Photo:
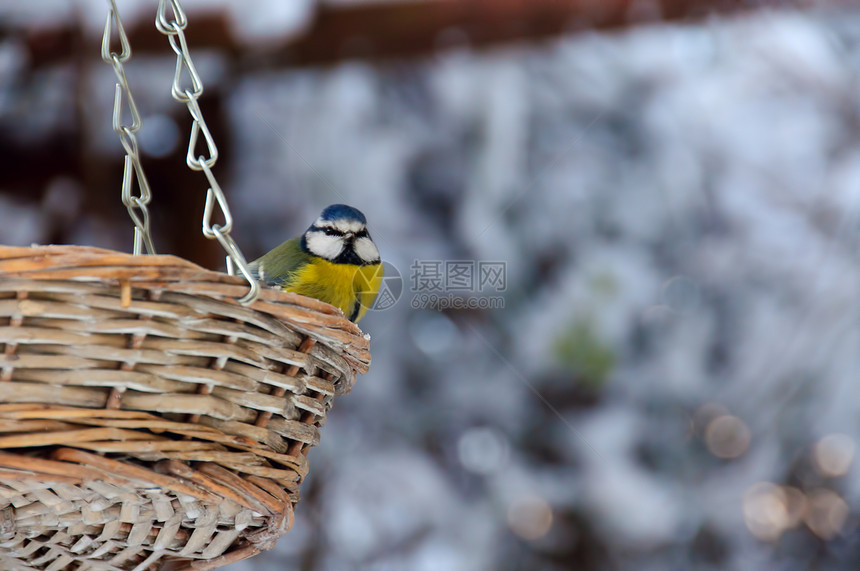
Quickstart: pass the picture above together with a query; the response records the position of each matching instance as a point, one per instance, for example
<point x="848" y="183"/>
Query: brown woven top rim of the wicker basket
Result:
<point x="314" y="318"/>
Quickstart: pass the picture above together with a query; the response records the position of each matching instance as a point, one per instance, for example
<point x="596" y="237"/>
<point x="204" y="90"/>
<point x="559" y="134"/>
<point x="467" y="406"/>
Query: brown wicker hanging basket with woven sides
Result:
<point x="147" y="420"/>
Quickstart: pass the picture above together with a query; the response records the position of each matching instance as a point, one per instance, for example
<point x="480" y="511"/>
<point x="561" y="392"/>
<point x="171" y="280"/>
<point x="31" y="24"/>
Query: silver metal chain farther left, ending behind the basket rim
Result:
<point x="133" y="169"/>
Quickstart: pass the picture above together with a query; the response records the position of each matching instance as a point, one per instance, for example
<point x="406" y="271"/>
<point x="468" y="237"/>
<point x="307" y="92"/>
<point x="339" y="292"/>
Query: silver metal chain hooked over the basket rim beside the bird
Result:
<point x="174" y="29"/>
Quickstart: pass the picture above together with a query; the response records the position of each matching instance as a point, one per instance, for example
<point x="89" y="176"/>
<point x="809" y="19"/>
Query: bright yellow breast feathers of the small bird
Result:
<point x="350" y="287"/>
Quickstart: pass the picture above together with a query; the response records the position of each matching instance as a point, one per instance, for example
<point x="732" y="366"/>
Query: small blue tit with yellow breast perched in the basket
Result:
<point x="334" y="261"/>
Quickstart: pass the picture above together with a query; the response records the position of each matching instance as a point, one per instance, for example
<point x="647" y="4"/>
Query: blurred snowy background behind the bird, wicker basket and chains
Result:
<point x="673" y="380"/>
